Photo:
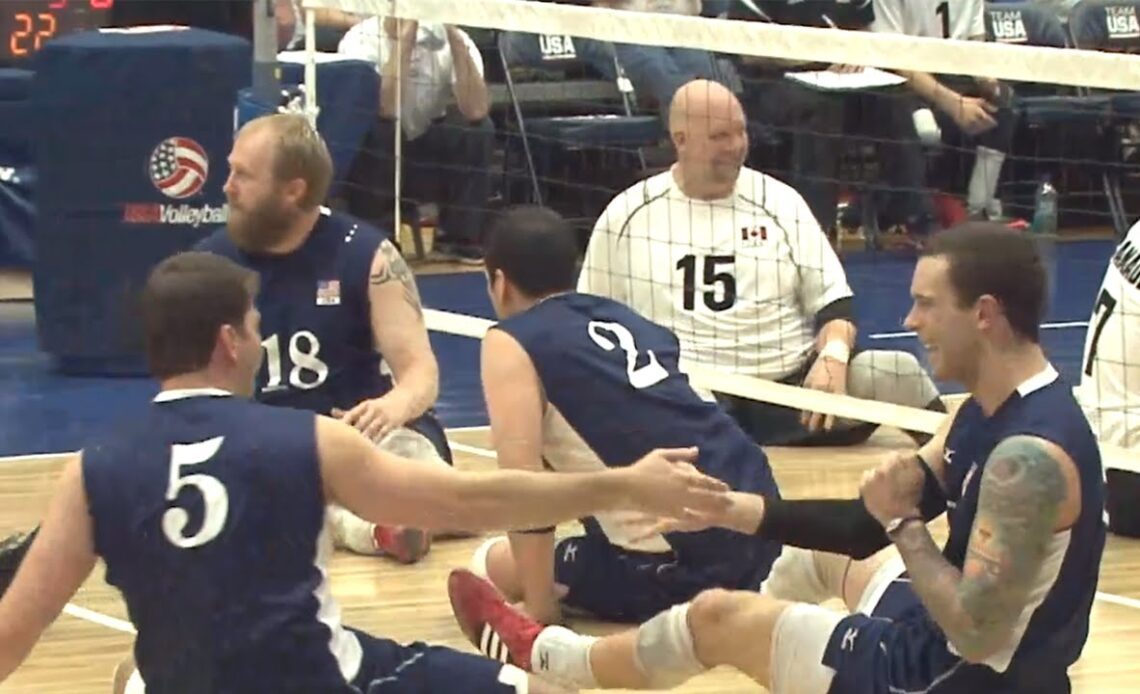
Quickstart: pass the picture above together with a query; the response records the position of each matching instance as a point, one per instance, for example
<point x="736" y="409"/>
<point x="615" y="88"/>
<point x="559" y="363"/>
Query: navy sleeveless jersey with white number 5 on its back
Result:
<point x="209" y="513"/>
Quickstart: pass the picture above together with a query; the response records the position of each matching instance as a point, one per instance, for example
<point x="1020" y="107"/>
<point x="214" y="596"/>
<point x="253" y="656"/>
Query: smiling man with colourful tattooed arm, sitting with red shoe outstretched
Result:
<point x="1004" y="607"/>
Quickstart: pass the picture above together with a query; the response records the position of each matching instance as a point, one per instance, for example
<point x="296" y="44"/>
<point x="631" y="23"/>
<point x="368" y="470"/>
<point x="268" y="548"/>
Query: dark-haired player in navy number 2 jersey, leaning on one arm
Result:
<point x="576" y="382"/>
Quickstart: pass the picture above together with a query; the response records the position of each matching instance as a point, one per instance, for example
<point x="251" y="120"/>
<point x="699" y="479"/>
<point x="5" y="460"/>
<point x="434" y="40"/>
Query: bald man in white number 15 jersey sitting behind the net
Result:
<point x="735" y="263"/>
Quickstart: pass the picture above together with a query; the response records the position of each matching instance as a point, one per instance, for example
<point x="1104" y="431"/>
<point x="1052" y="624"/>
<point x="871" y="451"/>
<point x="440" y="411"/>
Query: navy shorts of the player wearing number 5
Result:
<point x="392" y="668"/>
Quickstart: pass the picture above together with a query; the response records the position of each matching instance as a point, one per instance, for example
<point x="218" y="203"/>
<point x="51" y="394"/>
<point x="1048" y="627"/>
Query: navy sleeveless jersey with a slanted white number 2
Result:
<point x="614" y="394"/>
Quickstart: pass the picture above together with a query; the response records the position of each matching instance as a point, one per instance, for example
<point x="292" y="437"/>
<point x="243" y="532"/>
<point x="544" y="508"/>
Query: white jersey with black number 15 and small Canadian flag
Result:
<point x="739" y="280"/>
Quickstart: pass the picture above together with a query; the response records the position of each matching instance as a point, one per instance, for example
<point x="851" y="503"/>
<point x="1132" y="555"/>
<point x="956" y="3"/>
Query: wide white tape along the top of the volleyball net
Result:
<point x="890" y="52"/>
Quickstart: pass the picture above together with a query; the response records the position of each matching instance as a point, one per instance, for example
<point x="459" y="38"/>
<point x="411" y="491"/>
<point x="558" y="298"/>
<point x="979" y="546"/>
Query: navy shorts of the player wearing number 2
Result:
<point x="618" y="585"/>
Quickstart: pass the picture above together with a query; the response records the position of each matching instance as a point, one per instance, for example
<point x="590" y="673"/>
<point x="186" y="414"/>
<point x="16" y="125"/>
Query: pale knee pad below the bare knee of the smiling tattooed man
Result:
<point x="665" y="650"/>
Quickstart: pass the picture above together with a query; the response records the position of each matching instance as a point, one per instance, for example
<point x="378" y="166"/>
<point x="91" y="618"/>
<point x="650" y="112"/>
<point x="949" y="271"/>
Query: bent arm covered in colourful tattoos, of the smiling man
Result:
<point x="1023" y="489"/>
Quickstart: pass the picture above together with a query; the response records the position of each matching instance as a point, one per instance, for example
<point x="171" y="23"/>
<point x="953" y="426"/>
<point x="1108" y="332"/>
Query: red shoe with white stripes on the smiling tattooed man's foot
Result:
<point x="490" y="623"/>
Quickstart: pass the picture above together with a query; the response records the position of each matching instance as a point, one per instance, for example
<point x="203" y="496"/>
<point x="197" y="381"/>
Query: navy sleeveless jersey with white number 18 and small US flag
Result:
<point x="320" y="350"/>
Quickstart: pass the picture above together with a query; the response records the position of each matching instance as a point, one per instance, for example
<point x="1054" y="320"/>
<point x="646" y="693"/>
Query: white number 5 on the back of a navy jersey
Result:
<point x="215" y="497"/>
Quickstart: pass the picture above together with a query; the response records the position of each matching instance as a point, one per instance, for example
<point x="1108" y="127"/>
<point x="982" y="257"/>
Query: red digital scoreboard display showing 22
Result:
<point x="27" y="26"/>
